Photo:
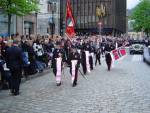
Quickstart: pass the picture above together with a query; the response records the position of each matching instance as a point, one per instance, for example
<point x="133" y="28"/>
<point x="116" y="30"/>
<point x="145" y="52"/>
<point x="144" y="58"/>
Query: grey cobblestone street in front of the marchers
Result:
<point x="125" y="89"/>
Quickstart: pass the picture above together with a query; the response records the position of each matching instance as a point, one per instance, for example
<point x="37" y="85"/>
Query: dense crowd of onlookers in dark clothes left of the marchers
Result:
<point x="36" y="55"/>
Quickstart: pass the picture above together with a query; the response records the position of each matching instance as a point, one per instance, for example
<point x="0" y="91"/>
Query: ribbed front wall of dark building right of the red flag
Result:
<point x="84" y="12"/>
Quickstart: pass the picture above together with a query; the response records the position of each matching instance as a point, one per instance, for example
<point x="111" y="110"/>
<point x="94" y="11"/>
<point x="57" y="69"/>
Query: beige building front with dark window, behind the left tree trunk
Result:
<point x="17" y="24"/>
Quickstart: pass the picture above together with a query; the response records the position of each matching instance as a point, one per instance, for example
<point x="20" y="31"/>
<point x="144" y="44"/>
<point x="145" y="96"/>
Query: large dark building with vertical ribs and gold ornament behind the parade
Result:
<point x="84" y="12"/>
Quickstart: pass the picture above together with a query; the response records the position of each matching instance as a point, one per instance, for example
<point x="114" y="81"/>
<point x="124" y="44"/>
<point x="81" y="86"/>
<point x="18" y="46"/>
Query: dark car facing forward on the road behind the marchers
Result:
<point x="136" y="47"/>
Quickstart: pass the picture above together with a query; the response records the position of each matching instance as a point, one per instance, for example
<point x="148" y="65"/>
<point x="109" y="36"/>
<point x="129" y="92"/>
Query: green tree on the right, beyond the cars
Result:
<point x="141" y="15"/>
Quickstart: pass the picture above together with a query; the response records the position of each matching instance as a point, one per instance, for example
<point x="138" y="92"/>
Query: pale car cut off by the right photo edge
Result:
<point x="146" y="55"/>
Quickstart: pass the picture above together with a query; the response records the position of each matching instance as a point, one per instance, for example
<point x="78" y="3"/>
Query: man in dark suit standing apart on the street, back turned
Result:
<point x="14" y="63"/>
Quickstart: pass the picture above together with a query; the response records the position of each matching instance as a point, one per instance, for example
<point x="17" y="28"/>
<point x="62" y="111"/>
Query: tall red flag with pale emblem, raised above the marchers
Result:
<point x="70" y="23"/>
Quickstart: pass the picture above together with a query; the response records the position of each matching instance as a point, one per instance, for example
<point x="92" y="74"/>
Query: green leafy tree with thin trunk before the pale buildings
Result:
<point x="17" y="7"/>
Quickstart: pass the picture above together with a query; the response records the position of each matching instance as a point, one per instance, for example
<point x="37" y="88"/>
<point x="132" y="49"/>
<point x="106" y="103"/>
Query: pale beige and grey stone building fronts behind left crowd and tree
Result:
<point x="36" y="24"/>
